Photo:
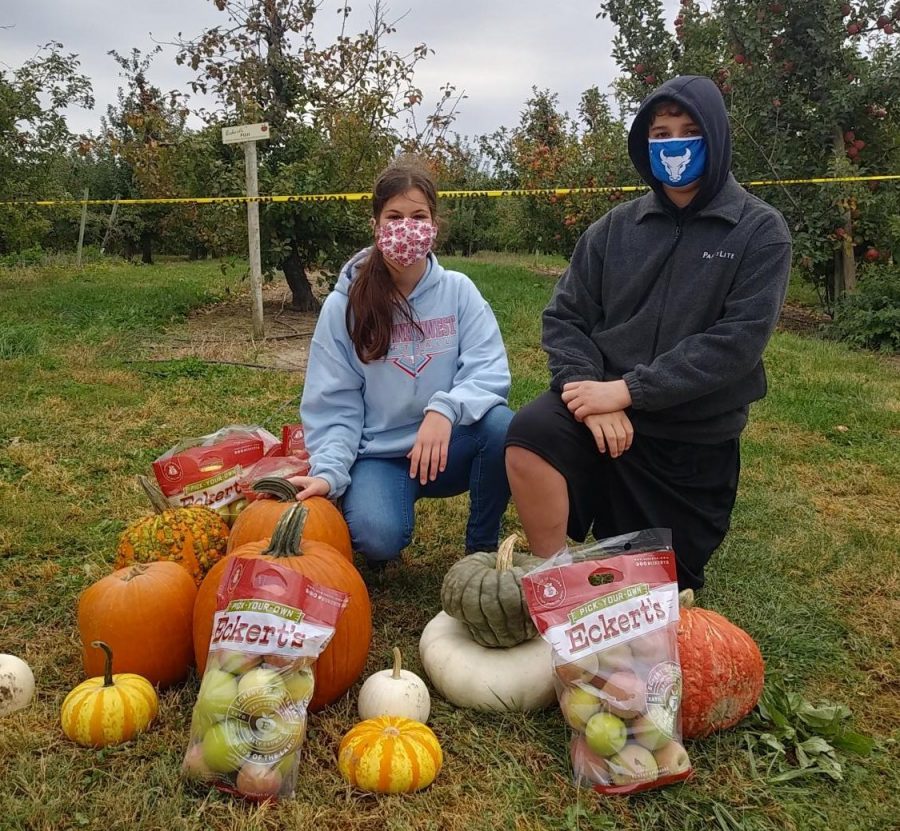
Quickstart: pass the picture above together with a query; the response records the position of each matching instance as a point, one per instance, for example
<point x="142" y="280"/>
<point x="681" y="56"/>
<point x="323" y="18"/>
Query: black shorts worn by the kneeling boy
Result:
<point x="657" y="483"/>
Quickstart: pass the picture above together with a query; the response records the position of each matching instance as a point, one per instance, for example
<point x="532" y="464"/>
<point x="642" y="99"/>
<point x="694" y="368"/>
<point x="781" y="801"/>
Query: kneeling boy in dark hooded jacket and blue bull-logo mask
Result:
<point x="654" y="336"/>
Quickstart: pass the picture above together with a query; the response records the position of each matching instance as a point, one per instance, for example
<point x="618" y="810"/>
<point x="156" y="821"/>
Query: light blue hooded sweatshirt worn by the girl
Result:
<point x="351" y="409"/>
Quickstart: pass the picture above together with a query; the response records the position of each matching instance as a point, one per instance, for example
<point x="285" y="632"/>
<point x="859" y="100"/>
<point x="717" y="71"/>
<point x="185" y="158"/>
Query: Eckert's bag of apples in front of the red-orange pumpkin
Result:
<point x="610" y="612"/>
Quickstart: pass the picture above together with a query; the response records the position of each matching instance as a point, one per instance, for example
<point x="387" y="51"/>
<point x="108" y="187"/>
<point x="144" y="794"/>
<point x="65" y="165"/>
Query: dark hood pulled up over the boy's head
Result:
<point x="699" y="96"/>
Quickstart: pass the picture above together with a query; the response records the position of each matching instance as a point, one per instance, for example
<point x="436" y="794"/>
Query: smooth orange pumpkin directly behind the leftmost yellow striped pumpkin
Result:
<point x="144" y="613"/>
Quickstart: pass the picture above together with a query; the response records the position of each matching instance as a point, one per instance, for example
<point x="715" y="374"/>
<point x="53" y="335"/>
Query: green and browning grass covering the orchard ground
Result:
<point x="809" y="568"/>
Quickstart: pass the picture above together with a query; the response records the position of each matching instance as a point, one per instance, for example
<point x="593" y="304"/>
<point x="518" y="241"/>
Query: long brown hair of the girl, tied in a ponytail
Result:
<point x="374" y="298"/>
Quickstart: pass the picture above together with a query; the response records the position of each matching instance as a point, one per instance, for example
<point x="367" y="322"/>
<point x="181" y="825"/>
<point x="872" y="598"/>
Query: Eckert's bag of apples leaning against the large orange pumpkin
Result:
<point x="249" y="720"/>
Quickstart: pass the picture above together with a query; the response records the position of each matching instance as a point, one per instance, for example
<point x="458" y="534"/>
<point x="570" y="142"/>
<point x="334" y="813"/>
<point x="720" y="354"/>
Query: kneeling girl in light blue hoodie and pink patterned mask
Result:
<point x="407" y="381"/>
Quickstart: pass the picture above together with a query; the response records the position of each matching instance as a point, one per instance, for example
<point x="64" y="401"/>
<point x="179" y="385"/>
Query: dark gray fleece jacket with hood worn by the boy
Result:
<point x="679" y="303"/>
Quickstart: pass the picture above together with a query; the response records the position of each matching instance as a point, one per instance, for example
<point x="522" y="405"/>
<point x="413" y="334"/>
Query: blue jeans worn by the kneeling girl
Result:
<point x="379" y="503"/>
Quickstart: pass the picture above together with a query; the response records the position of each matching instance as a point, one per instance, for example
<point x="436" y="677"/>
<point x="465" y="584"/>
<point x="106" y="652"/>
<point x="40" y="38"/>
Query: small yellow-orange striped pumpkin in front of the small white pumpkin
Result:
<point x="390" y="754"/>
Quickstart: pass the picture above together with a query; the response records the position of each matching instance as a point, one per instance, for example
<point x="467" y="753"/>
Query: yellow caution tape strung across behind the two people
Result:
<point x="447" y="194"/>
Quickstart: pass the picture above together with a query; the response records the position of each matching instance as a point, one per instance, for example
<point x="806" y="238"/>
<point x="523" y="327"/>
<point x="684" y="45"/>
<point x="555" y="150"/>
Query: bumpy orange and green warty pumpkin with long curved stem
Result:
<point x="194" y="537"/>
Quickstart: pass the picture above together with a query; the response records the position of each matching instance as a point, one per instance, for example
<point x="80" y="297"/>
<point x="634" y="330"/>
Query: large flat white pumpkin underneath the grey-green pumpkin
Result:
<point x="517" y="679"/>
